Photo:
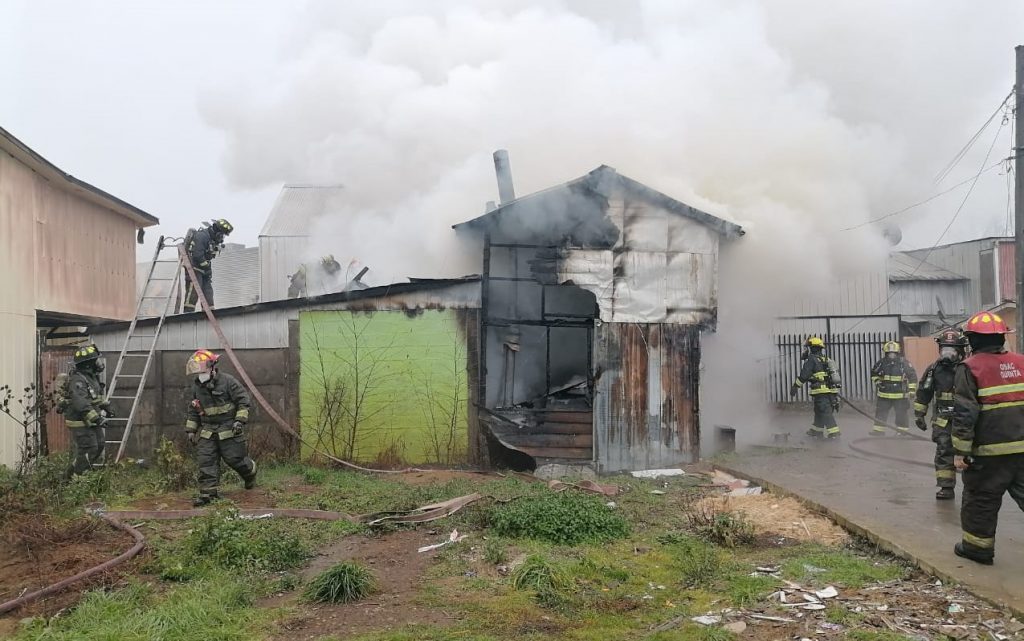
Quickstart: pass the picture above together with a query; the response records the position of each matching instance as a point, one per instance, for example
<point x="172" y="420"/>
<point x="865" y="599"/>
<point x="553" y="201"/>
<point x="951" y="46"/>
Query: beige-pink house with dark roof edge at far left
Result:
<point x="67" y="261"/>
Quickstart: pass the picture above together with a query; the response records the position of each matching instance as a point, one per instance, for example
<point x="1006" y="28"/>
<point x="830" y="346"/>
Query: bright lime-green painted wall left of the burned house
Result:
<point x="385" y="387"/>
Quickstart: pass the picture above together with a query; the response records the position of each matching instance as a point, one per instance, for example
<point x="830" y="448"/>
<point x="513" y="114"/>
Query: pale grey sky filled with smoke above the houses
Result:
<point x="794" y="112"/>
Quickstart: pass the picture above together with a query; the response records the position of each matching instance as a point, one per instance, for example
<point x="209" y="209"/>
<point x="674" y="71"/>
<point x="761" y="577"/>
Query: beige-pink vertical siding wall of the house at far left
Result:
<point x="59" y="253"/>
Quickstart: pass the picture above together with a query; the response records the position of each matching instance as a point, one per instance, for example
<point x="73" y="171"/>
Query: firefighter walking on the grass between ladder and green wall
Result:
<point x="217" y="425"/>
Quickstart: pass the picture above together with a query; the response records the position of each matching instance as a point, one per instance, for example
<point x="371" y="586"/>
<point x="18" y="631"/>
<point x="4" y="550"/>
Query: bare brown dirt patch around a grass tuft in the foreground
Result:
<point x="399" y="569"/>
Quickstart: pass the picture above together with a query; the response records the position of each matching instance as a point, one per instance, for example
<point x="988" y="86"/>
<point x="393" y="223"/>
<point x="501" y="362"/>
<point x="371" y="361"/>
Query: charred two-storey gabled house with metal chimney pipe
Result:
<point x="594" y="294"/>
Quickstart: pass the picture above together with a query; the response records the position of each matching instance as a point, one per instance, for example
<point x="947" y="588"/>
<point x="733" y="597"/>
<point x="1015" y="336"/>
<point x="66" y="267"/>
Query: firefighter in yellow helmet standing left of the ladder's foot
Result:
<point x="87" y="411"/>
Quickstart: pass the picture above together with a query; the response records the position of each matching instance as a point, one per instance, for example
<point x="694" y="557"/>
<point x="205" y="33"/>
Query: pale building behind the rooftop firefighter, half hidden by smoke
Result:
<point x="285" y="242"/>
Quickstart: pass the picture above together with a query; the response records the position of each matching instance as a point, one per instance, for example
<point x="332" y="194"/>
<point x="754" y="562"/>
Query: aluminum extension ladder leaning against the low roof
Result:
<point x="129" y="381"/>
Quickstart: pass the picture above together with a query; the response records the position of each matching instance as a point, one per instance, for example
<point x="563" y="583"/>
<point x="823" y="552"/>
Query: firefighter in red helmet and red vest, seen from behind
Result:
<point x="988" y="434"/>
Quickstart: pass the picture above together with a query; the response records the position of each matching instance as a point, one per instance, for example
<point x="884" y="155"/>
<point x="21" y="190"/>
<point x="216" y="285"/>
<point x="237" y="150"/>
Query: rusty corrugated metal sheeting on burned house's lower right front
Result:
<point x="647" y="412"/>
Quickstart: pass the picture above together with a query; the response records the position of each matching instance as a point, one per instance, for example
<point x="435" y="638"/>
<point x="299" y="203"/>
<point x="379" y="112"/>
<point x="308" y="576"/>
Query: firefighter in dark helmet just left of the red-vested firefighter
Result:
<point x="937" y="386"/>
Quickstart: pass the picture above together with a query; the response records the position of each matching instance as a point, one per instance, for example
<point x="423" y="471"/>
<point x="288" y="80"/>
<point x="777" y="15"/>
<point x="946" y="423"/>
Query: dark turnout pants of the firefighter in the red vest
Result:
<point x="985" y="484"/>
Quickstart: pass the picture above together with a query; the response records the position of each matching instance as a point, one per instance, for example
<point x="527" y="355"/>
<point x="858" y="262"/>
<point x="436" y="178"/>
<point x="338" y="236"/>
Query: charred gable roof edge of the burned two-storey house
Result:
<point x="602" y="182"/>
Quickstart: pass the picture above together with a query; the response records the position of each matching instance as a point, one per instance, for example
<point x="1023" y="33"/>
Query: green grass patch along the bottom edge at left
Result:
<point x="219" y="608"/>
